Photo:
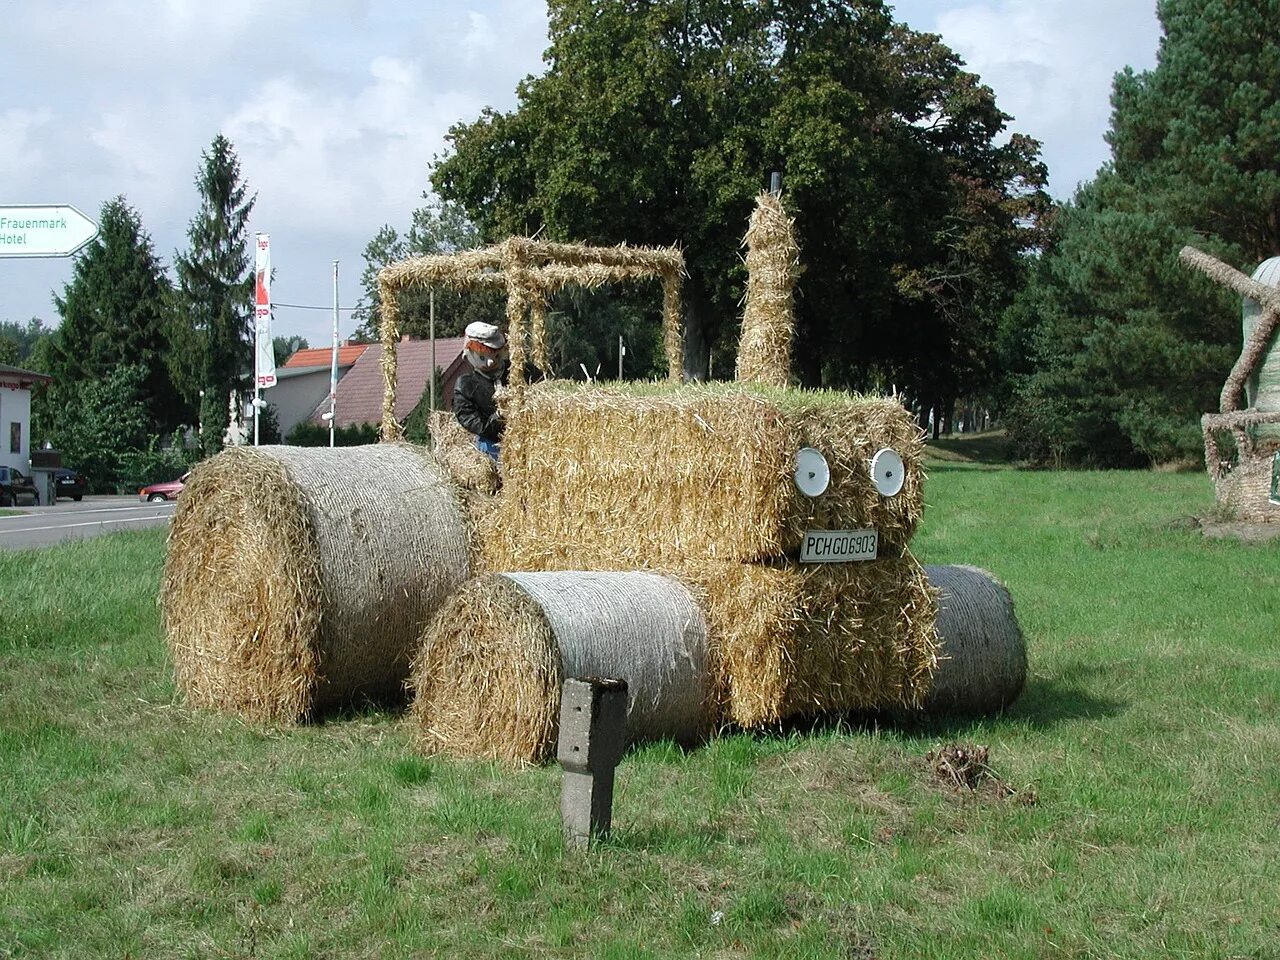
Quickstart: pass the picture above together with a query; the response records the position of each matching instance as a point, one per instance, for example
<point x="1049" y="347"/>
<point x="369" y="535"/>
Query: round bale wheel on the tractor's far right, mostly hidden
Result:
<point x="982" y="659"/>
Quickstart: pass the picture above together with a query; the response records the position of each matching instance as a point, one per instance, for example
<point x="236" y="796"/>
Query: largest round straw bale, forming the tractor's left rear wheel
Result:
<point x="300" y="578"/>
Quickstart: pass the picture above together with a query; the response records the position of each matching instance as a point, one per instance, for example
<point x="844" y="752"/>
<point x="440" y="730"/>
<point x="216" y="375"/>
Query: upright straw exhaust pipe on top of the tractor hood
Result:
<point x="769" y="319"/>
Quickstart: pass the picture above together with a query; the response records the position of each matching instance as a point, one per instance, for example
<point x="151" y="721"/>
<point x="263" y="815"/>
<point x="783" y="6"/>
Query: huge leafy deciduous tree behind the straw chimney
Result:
<point x="659" y="122"/>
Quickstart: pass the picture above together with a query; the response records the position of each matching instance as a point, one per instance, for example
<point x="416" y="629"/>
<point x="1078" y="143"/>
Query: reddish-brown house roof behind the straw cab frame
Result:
<point x="360" y="392"/>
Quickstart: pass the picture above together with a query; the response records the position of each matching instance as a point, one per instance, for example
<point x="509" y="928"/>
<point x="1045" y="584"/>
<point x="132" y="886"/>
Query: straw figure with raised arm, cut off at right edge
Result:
<point x="1246" y="484"/>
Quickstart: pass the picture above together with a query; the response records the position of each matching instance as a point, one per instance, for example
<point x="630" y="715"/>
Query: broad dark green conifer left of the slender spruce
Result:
<point x="115" y="313"/>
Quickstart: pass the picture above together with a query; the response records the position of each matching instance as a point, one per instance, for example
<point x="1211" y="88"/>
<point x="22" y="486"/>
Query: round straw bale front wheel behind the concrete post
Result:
<point x="488" y="676"/>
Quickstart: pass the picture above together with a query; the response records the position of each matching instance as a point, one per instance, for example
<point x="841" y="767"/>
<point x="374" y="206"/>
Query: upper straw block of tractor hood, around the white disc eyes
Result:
<point x="620" y="478"/>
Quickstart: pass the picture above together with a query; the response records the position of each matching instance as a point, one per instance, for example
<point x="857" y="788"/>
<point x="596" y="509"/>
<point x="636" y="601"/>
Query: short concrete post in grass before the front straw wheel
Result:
<point x="593" y="733"/>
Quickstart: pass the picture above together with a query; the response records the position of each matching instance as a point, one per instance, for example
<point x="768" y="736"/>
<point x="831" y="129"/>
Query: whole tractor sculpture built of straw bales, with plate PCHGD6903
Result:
<point x="656" y="533"/>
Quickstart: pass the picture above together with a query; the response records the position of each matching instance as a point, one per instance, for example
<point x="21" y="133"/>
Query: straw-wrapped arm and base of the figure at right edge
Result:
<point x="1244" y="486"/>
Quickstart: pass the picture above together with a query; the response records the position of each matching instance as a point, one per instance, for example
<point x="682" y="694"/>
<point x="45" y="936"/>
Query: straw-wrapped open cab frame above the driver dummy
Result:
<point x="531" y="272"/>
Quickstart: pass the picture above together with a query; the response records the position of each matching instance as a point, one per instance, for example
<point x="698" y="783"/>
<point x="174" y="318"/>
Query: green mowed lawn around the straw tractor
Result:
<point x="1144" y="755"/>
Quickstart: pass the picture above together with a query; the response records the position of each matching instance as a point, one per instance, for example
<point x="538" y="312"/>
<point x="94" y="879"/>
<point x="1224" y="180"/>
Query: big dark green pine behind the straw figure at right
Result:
<point x="1121" y="349"/>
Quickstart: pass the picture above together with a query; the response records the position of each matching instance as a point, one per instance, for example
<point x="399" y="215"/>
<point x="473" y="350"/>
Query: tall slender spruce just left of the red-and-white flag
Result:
<point x="213" y="333"/>
